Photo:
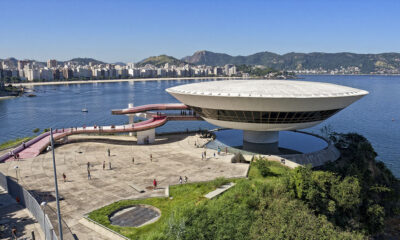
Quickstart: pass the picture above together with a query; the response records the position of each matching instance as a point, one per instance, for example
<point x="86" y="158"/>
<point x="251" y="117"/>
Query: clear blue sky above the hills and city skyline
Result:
<point x="132" y="30"/>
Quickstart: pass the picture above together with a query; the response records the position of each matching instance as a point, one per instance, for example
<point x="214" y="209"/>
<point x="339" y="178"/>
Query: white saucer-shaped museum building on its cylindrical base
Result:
<point x="262" y="108"/>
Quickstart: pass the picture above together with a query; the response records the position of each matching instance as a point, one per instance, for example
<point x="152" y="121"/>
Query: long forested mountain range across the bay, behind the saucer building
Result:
<point x="367" y="63"/>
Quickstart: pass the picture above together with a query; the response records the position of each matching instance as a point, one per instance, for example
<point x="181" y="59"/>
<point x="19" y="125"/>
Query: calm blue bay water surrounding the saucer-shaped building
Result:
<point x="376" y="116"/>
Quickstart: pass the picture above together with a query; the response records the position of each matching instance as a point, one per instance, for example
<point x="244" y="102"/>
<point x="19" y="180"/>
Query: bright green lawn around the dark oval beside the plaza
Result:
<point x="185" y="195"/>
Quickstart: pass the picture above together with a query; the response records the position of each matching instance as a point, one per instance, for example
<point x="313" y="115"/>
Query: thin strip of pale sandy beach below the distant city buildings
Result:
<point x="116" y="80"/>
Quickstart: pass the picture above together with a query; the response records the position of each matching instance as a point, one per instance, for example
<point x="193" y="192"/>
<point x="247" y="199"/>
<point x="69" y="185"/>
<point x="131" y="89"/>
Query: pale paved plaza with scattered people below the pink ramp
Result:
<point x="172" y="156"/>
